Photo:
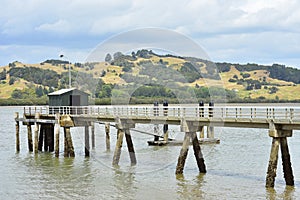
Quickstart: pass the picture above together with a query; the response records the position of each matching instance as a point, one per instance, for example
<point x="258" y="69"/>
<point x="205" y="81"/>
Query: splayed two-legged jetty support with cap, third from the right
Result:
<point x="123" y="127"/>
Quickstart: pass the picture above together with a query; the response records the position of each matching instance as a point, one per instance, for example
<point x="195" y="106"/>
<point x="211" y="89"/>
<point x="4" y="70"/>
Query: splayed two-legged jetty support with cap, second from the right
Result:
<point x="190" y="128"/>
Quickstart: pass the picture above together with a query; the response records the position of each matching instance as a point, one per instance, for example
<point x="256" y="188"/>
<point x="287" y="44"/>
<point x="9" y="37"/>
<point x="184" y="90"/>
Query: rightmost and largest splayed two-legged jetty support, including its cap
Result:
<point x="279" y="138"/>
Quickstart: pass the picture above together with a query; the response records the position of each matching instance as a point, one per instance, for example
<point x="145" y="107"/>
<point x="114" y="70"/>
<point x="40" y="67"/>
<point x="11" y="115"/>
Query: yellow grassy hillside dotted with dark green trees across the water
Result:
<point x="147" y="77"/>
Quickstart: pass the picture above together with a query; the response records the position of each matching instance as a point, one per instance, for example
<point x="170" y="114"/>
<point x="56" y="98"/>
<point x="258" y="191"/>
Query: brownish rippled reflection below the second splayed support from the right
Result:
<point x="190" y="189"/>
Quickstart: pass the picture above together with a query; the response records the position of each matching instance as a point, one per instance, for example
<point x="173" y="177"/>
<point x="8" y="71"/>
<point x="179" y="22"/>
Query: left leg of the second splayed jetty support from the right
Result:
<point x="183" y="153"/>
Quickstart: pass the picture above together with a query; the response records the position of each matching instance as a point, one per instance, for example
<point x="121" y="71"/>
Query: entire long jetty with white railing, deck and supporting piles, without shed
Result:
<point x="278" y="120"/>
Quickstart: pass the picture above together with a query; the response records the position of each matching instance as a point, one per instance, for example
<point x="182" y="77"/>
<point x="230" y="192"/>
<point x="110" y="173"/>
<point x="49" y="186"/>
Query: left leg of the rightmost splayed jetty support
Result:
<point x="271" y="173"/>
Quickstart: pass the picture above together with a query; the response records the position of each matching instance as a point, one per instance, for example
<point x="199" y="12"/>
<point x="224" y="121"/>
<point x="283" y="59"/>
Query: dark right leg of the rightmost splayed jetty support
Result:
<point x="286" y="162"/>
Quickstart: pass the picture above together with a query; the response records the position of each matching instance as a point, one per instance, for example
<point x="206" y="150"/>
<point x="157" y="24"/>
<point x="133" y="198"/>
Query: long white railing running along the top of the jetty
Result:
<point x="171" y="111"/>
